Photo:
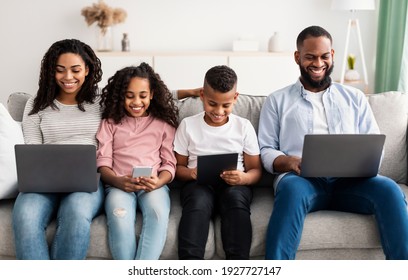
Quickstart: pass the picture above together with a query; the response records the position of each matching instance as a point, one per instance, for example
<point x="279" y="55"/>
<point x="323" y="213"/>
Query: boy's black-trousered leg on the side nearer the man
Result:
<point x="236" y="229"/>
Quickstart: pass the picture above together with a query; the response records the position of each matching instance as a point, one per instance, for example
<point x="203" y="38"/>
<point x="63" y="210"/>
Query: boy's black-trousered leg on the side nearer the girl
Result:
<point x="198" y="206"/>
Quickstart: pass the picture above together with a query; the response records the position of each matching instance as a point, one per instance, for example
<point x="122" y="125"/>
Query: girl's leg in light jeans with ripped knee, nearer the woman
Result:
<point x="120" y="208"/>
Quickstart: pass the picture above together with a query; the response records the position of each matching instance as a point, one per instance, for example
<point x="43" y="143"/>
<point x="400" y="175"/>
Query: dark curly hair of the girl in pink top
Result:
<point x="162" y="105"/>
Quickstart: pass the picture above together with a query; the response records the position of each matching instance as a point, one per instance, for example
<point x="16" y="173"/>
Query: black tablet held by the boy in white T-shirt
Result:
<point x="209" y="167"/>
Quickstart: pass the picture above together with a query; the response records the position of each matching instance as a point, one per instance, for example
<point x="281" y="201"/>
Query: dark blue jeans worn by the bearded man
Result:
<point x="297" y="196"/>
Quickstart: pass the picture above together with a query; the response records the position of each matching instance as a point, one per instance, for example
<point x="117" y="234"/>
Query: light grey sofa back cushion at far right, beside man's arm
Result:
<point x="390" y="110"/>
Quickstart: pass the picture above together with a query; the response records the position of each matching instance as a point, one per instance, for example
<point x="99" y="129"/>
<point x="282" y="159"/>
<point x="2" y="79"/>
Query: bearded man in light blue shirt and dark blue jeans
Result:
<point x="316" y="105"/>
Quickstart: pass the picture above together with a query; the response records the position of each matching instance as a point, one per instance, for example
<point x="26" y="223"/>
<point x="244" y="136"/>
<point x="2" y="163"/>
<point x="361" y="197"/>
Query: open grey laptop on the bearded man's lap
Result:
<point x="342" y="155"/>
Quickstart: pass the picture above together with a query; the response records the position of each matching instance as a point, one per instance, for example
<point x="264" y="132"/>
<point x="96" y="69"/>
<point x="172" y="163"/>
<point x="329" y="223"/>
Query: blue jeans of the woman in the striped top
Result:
<point x="74" y="212"/>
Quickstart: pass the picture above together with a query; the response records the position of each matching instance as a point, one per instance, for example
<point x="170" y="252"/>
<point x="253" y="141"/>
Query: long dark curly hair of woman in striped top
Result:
<point x="48" y="88"/>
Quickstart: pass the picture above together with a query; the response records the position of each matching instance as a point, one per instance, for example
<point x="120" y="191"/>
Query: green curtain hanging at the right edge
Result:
<point x="390" y="44"/>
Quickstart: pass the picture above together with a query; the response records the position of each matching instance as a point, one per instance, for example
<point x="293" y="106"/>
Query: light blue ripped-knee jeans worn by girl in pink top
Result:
<point x="120" y="208"/>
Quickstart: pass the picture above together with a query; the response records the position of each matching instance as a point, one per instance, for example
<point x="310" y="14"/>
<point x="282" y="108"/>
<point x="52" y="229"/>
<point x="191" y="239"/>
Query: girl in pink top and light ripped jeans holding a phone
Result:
<point x="139" y="120"/>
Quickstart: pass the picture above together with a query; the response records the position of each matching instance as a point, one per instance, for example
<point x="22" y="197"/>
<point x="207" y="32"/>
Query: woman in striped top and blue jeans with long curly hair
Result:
<point x="66" y="98"/>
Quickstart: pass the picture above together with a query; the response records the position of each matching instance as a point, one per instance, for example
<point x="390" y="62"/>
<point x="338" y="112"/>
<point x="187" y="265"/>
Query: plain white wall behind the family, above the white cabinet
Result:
<point x="28" y="28"/>
